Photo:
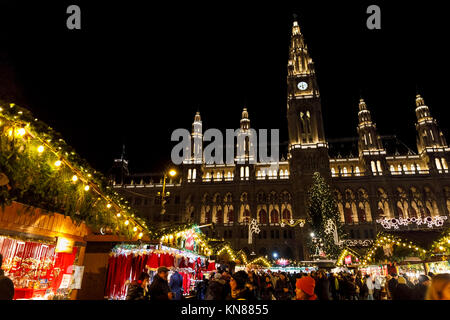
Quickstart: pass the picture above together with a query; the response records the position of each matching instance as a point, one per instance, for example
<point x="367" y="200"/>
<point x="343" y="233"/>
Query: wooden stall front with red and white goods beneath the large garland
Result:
<point x="42" y="253"/>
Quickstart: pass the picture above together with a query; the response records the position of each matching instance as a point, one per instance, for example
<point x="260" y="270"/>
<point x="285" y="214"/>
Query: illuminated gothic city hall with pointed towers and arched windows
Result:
<point x="377" y="182"/>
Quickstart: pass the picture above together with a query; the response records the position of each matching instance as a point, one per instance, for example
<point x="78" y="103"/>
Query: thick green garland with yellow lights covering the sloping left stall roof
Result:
<point x="39" y="169"/>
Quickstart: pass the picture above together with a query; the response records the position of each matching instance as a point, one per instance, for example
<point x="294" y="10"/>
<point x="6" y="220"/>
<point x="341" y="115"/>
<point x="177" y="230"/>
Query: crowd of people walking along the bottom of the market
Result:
<point x="316" y="285"/>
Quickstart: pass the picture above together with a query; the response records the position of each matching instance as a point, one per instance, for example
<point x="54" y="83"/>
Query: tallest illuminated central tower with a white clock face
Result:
<point x="308" y="149"/>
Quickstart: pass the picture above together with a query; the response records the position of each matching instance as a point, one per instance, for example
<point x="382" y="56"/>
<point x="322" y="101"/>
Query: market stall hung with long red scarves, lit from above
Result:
<point x="183" y="252"/>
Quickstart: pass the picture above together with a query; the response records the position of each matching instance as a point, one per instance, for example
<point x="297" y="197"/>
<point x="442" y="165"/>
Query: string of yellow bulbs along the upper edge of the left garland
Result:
<point x="17" y="128"/>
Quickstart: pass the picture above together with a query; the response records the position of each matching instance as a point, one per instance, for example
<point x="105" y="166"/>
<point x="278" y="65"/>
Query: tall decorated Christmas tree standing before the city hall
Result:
<point x="323" y="218"/>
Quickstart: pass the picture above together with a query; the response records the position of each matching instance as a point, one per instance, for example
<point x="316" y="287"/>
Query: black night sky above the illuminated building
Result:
<point x="136" y="72"/>
